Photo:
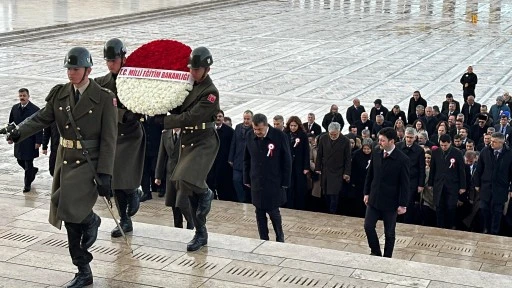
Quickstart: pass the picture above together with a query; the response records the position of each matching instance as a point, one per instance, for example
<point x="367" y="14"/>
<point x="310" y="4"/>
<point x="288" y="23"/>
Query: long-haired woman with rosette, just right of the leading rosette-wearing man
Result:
<point x="296" y="193"/>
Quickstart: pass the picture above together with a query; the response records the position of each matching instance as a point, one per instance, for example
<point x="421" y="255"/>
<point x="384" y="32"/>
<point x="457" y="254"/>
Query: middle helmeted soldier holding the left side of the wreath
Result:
<point x="130" y="146"/>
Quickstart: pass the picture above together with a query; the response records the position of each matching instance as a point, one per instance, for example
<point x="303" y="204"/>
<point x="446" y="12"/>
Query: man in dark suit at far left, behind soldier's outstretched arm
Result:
<point x="27" y="150"/>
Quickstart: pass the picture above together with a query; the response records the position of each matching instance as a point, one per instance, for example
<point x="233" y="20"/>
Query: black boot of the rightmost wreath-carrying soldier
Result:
<point x="201" y="205"/>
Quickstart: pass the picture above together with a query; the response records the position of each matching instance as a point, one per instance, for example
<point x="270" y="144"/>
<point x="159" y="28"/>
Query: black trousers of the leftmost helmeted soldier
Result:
<point x="79" y="256"/>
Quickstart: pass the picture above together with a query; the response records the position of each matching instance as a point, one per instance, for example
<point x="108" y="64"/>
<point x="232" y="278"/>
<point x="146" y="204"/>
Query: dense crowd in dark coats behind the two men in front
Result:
<point x="444" y="143"/>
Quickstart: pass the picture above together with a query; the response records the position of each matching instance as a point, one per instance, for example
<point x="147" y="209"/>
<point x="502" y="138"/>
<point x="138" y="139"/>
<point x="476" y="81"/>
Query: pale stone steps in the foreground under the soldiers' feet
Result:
<point x="321" y="251"/>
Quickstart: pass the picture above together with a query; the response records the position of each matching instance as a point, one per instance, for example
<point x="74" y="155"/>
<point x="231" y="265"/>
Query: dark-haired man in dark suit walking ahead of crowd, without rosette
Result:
<point x="385" y="191"/>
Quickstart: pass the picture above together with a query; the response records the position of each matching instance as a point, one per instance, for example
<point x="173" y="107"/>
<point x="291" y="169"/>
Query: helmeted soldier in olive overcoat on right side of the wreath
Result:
<point x="199" y="143"/>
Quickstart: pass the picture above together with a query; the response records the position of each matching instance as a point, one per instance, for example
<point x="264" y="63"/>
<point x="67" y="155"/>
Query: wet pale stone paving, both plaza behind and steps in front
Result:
<point x="274" y="57"/>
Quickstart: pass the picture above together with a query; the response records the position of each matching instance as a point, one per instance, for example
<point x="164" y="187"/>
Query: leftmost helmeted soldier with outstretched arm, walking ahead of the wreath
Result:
<point x="83" y="104"/>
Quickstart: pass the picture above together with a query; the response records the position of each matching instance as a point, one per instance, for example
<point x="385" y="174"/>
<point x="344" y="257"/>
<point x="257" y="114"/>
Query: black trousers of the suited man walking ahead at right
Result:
<point x="370" y="221"/>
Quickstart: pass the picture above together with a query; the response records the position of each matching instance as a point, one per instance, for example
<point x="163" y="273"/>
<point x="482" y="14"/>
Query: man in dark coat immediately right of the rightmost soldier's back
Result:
<point x="220" y="177"/>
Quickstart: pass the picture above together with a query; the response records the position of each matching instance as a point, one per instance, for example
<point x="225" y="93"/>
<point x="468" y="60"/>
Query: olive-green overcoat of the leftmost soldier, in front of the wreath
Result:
<point x="73" y="191"/>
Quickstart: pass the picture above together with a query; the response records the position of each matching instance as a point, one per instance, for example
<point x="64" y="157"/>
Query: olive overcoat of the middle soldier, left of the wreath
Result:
<point x="130" y="146"/>
